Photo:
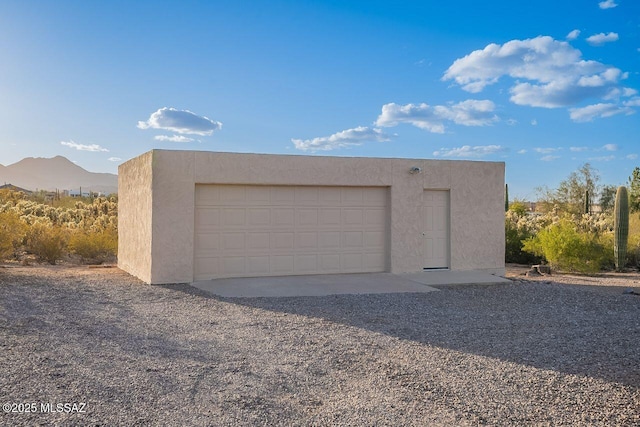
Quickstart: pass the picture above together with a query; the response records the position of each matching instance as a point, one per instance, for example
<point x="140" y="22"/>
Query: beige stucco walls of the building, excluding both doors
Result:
<point x="165" y="222"/>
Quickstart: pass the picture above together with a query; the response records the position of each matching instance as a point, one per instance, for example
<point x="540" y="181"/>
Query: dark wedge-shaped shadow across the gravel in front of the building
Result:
<point x="548" y="326"/>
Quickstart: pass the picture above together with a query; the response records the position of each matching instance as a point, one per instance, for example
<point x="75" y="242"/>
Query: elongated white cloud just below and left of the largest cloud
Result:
<point x="432" y="118"/>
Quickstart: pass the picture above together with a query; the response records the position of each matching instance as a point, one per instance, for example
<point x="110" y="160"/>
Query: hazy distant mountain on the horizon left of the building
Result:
<point x="37" y="173"/>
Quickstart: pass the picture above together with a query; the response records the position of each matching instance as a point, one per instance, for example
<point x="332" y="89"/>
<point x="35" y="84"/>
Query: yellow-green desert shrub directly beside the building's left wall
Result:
<point x="94" y="246"/>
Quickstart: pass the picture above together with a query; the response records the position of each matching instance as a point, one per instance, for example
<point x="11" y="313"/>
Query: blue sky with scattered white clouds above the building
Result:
<point x="544" y="86"/>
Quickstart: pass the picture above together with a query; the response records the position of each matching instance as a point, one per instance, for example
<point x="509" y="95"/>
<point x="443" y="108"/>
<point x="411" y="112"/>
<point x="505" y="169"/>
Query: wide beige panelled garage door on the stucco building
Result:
<point x="244" y="231"/>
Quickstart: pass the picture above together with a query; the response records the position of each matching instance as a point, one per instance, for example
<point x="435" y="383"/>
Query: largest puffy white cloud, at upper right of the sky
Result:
<point x="546" y="73"/>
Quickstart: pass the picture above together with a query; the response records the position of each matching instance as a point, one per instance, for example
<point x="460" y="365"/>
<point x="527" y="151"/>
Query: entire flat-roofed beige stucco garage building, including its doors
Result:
<point x="194" y="215"/>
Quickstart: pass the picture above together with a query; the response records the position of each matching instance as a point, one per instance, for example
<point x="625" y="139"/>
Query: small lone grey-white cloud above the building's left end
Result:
<point x="180" y="121"/>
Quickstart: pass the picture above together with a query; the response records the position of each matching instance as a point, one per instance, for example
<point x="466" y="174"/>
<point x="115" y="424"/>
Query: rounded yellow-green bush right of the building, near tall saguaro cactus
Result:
<point x="568" y="249"/>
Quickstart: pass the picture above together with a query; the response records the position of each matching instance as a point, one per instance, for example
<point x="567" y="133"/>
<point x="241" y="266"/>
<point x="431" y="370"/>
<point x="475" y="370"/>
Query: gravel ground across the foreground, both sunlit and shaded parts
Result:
<point x="534" y="352"/>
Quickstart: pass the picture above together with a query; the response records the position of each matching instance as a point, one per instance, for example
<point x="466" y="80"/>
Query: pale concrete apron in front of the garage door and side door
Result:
<point x="335" y="284"/>
